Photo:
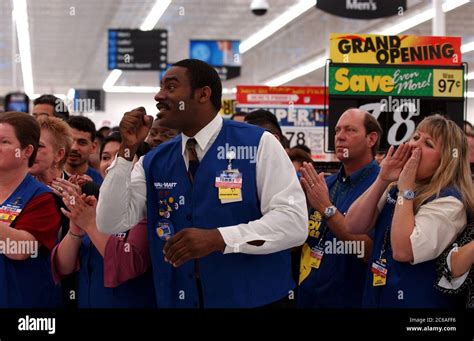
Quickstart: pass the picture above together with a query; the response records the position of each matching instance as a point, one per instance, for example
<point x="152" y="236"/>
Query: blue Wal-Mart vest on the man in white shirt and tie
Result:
<point x="230" y="280"/>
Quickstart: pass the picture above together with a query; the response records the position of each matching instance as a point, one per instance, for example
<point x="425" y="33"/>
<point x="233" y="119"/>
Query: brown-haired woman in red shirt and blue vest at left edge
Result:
<point x="29" y="219"/>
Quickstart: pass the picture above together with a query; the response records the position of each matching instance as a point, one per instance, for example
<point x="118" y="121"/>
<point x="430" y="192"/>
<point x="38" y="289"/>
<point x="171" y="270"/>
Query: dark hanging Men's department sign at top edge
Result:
<point x="363" y="9"/>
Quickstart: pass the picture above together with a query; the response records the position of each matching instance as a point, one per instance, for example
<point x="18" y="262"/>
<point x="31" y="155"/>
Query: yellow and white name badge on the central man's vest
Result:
<point x="229" y="183"/>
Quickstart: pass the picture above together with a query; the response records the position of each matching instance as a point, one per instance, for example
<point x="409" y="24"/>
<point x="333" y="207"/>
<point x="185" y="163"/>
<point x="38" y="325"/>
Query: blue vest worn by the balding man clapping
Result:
<point x="339" y="280"/>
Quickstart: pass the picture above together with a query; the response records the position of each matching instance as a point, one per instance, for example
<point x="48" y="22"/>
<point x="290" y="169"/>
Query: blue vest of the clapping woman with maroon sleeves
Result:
<point x="134" y="293"/>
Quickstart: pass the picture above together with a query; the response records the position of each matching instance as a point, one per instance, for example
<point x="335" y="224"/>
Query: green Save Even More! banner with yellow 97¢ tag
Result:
<point x="395" y="81"/>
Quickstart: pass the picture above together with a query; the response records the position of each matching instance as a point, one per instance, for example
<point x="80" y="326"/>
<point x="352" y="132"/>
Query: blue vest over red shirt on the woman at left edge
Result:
<point x="26" y="283"/>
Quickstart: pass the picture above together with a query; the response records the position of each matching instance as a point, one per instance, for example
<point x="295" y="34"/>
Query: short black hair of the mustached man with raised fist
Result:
<point x="202" y="74"/>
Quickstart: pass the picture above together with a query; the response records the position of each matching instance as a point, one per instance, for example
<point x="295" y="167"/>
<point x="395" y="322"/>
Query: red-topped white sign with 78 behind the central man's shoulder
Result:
<point x="299" y="111"/>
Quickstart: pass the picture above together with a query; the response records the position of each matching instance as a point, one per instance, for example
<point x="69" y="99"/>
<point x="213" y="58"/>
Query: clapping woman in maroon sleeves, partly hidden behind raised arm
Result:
<point x="114" y="271"/>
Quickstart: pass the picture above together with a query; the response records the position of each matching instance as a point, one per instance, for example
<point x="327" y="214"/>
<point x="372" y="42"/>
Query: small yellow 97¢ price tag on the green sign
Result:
<point x="448" y="83"/>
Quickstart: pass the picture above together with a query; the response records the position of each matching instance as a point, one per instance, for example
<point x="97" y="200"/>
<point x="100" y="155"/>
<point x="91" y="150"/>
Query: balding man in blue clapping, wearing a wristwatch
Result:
<point x="333" y="262"/>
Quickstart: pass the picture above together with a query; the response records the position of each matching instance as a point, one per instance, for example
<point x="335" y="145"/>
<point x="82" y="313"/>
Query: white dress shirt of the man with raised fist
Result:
<point x="284" y="224"/>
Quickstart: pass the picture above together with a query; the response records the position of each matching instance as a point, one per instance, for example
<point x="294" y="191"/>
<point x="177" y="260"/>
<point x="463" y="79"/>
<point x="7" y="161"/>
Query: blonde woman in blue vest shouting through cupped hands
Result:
<point x="418" y="205"/>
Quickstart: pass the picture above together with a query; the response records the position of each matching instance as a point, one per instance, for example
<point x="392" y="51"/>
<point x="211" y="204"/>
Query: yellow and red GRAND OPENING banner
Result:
<point x="400" y="50"/>
